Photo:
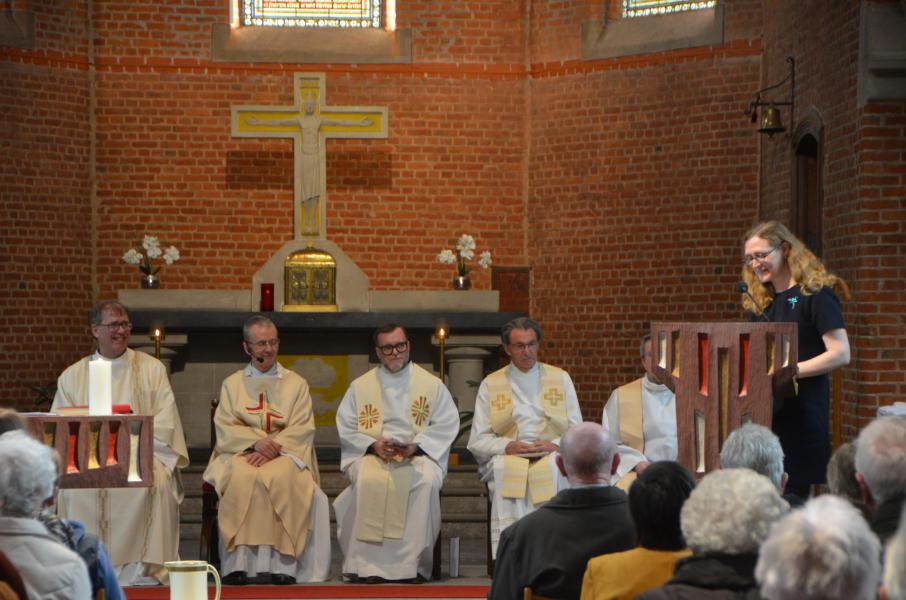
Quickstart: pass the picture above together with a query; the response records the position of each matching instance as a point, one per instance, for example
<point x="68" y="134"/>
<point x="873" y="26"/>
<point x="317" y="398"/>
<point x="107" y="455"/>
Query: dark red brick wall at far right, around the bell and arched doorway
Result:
<point x="864" y="186"/>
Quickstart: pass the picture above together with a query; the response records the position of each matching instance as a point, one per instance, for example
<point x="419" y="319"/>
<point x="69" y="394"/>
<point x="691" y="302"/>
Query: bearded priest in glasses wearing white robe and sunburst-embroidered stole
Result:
<point x="396" y="424"/>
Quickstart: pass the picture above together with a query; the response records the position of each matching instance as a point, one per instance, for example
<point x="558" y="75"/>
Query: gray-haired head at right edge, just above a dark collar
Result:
<point x="881" y="457"/>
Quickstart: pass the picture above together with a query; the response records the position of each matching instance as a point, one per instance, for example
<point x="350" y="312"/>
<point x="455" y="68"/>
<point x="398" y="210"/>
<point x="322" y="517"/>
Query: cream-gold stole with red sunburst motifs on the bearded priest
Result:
<point x="383" y="494"/>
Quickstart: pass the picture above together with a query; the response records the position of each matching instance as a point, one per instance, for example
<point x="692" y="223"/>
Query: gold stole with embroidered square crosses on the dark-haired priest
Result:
<point x="518" y="471"/>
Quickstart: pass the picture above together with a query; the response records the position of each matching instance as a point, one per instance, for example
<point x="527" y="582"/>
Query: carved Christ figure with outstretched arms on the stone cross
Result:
<point x="310" y="124"/>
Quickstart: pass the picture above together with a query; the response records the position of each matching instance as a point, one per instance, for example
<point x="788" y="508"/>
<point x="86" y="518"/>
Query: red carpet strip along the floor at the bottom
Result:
<point x="324" y="591"/>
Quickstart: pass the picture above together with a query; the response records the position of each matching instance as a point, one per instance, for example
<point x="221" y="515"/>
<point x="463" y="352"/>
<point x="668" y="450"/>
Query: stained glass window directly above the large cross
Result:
<point x="312" y="13"/>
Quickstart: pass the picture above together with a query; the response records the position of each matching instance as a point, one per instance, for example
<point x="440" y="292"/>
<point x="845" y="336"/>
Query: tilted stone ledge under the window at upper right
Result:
<point x="657" y="33"/>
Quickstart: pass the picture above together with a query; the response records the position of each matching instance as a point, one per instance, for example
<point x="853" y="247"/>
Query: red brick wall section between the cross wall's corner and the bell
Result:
<point x="642" y="180"/>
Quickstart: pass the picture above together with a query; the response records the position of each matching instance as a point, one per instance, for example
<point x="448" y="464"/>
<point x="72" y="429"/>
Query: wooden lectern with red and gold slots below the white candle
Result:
<point x="99" y="452"/>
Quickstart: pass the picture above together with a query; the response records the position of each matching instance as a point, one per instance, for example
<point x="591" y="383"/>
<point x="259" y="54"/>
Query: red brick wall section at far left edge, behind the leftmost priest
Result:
<point x="45" y="212"/>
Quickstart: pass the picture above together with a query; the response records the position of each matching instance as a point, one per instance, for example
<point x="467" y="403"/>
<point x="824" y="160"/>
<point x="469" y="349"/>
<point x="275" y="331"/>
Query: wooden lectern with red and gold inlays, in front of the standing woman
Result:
<point x="722" y="375"/>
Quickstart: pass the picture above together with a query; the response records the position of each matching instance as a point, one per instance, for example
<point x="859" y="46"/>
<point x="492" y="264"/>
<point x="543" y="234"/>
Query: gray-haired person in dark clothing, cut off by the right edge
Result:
<point x="881" y="472"/>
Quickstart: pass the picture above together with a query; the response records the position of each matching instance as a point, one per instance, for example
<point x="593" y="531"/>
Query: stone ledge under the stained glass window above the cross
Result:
<point x="310" y="45"/>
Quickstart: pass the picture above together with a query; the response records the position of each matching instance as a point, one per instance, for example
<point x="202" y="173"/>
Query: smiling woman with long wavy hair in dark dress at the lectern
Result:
<point x="792" y="285"/>
